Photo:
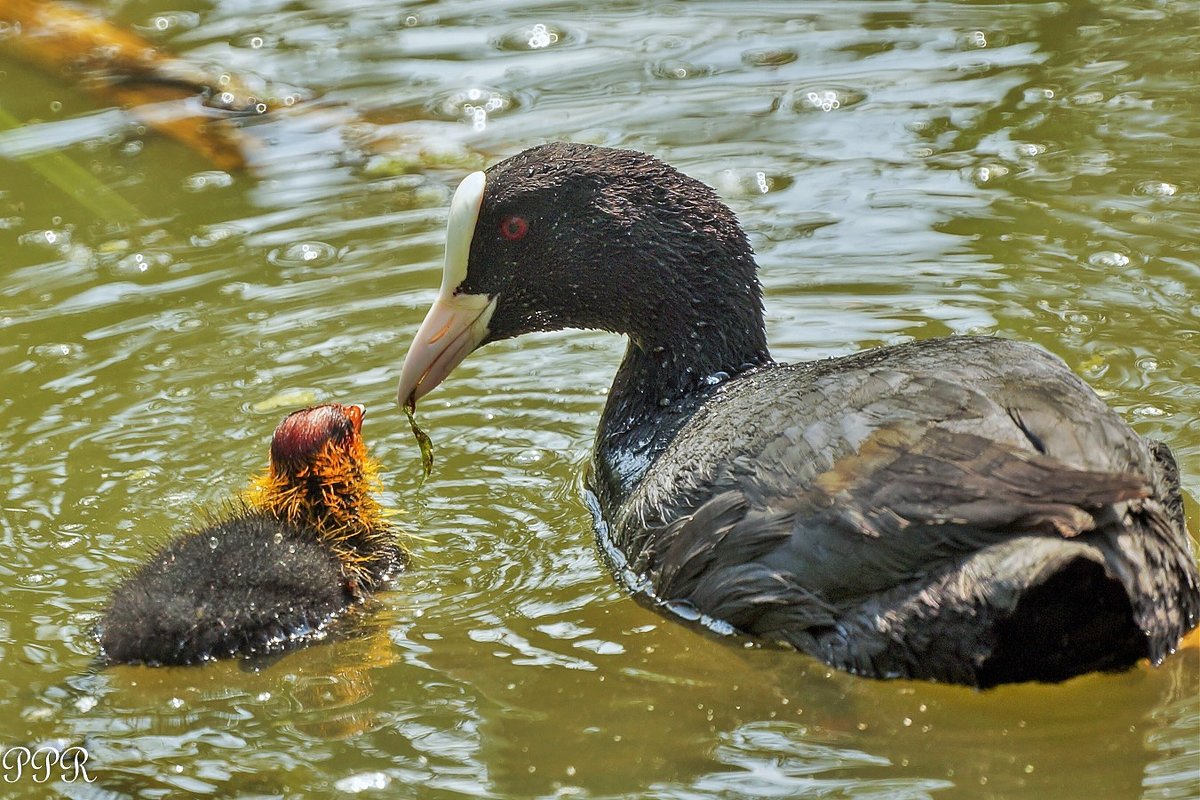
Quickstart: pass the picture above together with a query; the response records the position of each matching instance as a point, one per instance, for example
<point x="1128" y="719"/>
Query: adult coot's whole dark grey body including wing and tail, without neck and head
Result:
<point x="867" y="508"/>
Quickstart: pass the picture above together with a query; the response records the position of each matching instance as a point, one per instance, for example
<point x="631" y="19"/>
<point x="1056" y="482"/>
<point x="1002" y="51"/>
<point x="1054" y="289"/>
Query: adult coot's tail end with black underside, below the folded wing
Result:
<point x="1033" y="609"/>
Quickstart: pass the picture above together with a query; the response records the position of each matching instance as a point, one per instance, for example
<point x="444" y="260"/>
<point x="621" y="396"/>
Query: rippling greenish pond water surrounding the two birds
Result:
<point x="905" y="170"/>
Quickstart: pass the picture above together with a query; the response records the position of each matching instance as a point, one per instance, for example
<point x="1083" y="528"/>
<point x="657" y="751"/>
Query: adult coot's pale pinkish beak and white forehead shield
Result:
<point x="458" y="322"/>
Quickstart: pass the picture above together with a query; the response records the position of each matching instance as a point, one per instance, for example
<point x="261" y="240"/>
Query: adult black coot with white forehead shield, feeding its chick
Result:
<point x="963" y="509"/>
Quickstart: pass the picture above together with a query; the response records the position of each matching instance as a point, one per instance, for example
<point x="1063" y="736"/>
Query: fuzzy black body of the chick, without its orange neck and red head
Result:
<point x="243" y="586"/>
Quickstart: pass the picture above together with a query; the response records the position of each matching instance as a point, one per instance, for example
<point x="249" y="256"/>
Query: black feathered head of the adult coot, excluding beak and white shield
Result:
<point x="573" y="236"/>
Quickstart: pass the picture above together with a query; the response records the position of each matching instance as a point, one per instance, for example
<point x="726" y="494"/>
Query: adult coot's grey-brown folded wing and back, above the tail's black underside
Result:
<point x="803" y="492"/>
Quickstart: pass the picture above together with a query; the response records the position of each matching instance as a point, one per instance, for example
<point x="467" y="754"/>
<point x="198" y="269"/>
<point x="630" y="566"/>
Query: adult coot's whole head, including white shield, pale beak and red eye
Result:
<point x="574" y="236"/>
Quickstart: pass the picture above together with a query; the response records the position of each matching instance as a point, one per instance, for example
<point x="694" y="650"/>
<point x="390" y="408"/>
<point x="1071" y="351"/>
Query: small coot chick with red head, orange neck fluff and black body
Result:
<point x="308" y="542"/>
